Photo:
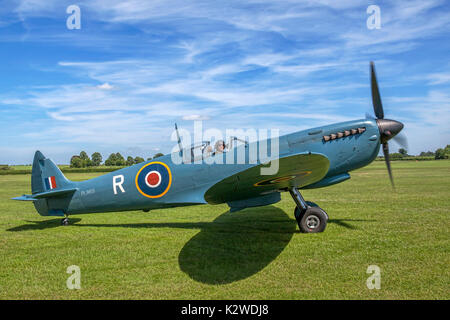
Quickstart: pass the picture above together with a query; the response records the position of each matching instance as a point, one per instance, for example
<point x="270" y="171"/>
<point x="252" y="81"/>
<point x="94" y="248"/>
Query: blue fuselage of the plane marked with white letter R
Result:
<point x="123" y="189"/>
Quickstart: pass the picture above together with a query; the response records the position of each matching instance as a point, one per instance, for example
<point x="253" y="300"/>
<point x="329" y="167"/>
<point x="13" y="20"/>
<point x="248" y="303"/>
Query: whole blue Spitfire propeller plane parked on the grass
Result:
<point x="313" y="158"/>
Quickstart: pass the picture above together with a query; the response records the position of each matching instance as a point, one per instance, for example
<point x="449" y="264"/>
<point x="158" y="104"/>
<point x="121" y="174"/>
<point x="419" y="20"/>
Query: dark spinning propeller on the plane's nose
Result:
<point x="388" y="128"/>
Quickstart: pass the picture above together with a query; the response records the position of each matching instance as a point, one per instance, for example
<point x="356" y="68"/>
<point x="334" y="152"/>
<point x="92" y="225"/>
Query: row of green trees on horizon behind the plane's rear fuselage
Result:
<point x="115" y="159"/>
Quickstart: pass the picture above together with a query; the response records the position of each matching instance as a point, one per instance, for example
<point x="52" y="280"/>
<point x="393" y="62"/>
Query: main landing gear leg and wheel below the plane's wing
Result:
<point x="310" y="219"/>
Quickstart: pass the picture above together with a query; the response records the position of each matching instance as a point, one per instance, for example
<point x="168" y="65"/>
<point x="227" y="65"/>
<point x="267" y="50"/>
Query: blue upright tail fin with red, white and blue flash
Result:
<point x="46" y="176"/>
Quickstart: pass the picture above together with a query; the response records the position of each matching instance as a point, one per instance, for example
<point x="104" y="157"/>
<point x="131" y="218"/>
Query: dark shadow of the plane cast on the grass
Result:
<point x="233" y="247"/>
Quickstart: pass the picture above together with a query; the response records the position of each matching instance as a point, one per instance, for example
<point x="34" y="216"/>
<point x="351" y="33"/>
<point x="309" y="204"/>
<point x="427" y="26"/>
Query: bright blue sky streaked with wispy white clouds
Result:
<point x="134" y="68"/>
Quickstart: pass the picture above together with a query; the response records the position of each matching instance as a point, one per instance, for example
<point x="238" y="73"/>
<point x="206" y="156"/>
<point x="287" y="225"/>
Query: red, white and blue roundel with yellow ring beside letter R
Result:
<point x="154" y="179"/>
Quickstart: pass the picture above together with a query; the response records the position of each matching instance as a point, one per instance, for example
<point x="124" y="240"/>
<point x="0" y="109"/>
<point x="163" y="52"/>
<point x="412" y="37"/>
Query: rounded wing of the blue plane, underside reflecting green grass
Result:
<point x="294" y="171"/>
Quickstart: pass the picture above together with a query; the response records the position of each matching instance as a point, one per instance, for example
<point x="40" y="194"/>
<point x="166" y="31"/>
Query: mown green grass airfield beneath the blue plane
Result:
<point x="205" y="252"/>
